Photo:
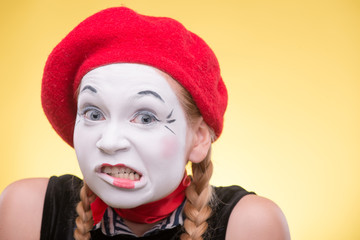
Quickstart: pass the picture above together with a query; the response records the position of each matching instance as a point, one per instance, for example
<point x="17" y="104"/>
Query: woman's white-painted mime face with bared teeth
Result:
<point x="130" y="135"/>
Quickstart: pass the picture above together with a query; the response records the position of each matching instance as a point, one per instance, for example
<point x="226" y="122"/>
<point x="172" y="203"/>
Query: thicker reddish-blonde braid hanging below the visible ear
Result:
<point x="198" y="194"/>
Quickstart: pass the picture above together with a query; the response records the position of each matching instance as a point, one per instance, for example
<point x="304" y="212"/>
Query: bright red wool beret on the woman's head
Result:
<point x="120" y="35"/>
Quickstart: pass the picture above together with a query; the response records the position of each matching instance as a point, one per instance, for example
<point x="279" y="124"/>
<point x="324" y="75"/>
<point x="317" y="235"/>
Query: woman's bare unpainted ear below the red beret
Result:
<point x="201" y="142"/>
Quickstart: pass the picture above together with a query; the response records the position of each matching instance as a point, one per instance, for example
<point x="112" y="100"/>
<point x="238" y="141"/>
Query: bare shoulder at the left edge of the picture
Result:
<point x="21" y="207"/>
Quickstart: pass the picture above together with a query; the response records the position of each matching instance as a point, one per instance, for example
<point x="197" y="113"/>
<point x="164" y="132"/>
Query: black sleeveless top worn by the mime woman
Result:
<point x="62" y="195"/>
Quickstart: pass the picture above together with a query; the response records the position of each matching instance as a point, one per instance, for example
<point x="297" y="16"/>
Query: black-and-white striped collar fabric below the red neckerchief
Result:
<point x="112" y="224"/>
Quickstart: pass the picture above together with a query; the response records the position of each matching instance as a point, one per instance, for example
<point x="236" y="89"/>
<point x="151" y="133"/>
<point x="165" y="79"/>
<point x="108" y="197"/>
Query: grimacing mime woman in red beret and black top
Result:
<point x="138" y="97"/>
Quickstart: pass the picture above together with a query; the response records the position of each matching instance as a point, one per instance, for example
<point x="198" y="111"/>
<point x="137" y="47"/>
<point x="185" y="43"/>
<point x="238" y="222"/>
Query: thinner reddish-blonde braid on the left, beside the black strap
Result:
<point x="84" y="221"/>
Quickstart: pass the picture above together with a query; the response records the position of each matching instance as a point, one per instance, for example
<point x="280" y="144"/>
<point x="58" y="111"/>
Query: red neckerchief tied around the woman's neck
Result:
<point x="147" y="213"/>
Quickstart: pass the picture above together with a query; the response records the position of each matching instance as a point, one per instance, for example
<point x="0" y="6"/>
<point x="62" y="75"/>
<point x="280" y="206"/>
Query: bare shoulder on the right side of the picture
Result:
<point x="254" y="218"/>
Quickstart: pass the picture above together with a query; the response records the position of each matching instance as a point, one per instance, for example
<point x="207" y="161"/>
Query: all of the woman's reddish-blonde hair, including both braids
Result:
<point x="198" y="195"/>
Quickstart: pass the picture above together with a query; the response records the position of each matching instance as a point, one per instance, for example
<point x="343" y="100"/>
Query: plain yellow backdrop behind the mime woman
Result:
<point x="292" y="129"/>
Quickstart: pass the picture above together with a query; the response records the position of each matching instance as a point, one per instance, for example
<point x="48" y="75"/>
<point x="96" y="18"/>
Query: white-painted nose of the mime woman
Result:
<point x="112" y="140"/>
